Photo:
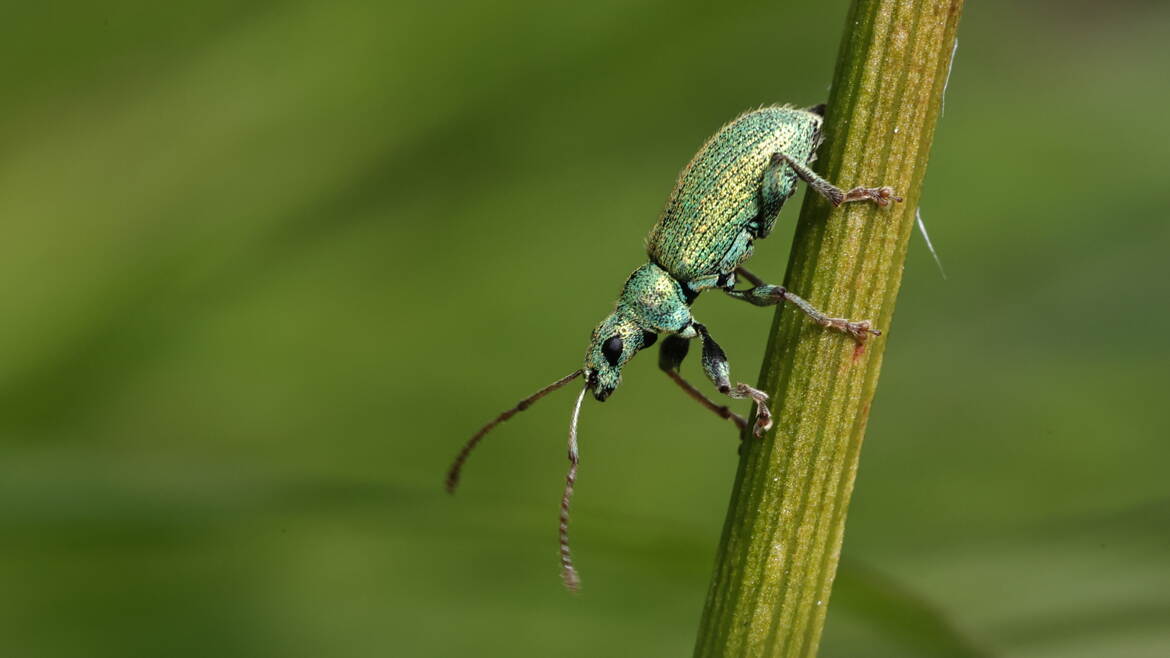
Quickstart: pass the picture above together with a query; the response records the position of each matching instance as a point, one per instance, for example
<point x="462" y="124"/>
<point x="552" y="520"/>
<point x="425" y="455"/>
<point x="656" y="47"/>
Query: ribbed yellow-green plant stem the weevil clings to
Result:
<point x="783" y="534"/>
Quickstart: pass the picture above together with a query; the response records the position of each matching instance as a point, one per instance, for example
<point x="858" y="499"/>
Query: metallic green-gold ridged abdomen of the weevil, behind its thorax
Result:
<point x="715" y="203"/>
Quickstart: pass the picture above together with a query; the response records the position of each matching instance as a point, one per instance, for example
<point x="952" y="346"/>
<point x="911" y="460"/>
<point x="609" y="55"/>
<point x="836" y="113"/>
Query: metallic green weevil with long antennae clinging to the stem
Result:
<point x="728" y="197"/>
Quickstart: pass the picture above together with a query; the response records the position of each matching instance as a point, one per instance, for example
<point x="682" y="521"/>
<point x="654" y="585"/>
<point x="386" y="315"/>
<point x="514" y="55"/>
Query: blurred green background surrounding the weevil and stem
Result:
<point x="267" y="265"/>
